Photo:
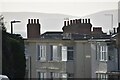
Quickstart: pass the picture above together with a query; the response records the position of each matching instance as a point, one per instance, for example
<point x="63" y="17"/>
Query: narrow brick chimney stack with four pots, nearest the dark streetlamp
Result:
<point x="33" y="28"/>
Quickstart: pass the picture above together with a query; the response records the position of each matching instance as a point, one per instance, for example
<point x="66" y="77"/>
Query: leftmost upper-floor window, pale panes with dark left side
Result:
<point x="41" y="54"/>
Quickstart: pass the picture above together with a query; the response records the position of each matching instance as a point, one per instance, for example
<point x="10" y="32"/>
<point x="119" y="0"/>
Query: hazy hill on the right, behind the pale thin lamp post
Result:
<point x="103" y="20"/>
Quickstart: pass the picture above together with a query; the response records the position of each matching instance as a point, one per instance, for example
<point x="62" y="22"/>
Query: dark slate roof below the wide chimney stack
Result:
<point x="69" y="36"/>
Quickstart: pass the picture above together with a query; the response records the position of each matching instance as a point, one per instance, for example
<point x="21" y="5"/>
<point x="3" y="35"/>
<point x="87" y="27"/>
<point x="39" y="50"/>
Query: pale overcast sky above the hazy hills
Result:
<point x="69" y="7"/>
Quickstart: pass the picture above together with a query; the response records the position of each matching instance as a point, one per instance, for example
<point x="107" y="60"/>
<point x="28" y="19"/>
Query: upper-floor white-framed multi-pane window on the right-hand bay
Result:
<point x="103" y="53"/>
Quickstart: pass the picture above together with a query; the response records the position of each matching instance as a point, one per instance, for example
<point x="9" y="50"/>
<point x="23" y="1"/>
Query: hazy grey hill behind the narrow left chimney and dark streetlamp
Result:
<point x="49" y="22"/>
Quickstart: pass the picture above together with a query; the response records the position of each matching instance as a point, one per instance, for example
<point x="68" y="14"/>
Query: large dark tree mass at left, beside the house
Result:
<point x="13" y="57"/>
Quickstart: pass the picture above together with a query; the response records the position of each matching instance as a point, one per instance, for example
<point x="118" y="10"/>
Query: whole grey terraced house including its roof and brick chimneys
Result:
<point x="80" y="51"/>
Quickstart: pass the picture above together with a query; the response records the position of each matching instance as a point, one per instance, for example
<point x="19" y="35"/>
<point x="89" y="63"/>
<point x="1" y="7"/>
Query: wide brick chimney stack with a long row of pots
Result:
<point x="79" y="26"/>
